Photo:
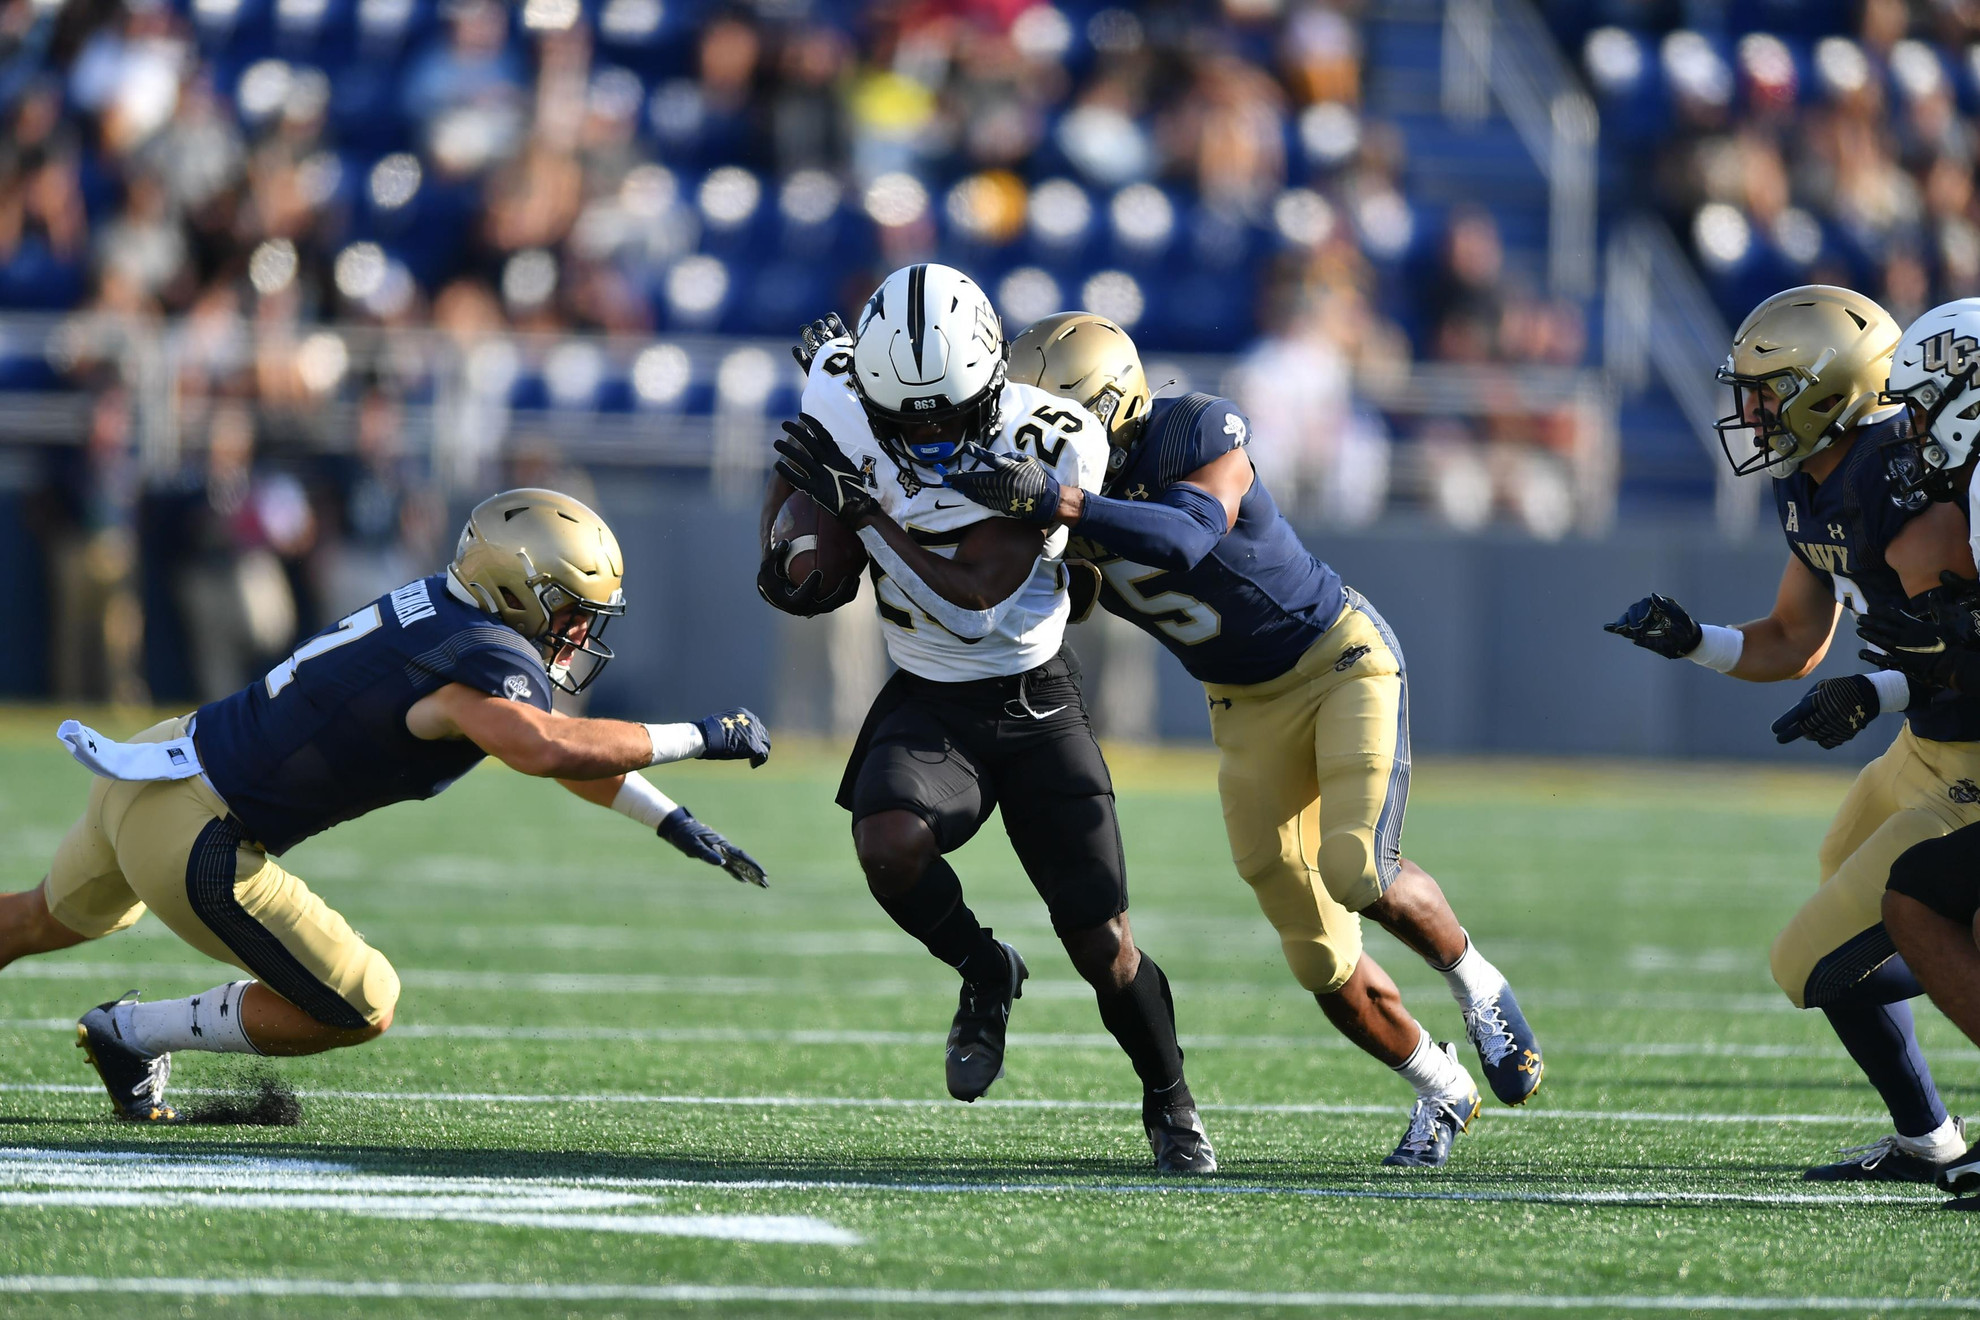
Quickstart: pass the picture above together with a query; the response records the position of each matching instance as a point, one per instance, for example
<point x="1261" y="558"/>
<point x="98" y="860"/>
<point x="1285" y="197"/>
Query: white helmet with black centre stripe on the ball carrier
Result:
<point x="930" y="365"/>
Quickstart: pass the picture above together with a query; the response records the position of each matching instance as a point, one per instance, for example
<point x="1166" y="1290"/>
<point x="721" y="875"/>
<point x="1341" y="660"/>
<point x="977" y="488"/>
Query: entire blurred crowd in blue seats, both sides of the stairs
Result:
<point x="603" y="217"/>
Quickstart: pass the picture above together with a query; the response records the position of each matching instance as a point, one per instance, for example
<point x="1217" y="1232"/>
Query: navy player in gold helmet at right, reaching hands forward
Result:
<point x="1807" y="373"/>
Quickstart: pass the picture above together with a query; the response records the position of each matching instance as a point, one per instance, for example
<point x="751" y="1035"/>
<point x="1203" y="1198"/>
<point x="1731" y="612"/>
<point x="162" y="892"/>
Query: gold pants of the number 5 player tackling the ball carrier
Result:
<point x="1316" y="777"/>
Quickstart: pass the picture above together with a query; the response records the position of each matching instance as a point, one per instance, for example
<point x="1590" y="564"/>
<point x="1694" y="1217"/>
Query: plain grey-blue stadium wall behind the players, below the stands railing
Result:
<point x="1504" y="636"/>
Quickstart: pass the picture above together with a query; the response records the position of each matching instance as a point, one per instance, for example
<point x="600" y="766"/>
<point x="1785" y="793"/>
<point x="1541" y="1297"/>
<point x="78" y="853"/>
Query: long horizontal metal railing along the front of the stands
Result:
<point x="686" y="403"/>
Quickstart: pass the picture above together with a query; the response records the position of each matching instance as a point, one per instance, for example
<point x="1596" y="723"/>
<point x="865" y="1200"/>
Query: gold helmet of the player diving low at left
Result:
<point x="549" y="569"/>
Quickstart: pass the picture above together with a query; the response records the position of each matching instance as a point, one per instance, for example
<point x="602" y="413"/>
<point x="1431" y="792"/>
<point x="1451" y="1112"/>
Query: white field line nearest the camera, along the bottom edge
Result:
<point x="1492" y="1303"/>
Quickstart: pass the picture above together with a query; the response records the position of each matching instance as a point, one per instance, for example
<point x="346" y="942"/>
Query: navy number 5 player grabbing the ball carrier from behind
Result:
<point x="1308" y="704"/>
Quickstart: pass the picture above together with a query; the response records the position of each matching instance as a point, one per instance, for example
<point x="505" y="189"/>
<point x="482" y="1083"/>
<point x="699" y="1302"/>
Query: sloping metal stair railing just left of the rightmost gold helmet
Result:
<point x="1660" y="318"/>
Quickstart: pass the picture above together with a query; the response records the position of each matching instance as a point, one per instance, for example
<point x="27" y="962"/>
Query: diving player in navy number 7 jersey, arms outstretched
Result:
<point x="393" y="704"/>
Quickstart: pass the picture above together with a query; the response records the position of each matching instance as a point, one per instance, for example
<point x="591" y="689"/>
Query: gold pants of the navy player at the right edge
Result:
<point x="1918" y="791"/>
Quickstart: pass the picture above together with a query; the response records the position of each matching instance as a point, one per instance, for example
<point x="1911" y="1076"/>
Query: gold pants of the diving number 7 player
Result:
<point x="173" y="846"/>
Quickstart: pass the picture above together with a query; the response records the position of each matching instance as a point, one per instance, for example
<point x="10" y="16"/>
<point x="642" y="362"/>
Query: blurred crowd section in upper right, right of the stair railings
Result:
<point x="1797" y="141"/>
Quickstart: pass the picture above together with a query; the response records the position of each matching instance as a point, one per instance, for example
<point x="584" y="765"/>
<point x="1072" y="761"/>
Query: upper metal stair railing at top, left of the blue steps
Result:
<point x="1502" y="50"/>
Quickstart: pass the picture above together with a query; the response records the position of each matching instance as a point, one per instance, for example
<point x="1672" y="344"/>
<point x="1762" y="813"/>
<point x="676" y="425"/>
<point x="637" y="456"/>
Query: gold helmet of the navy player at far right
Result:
<point x="1805" y="367"/>
